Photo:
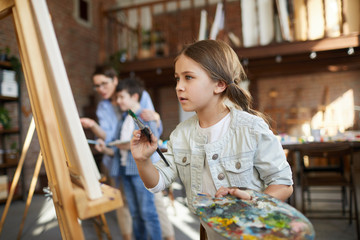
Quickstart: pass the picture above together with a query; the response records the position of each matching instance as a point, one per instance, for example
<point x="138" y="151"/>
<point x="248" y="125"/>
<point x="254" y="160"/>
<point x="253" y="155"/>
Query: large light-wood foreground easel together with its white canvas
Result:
<point x="68" y="161"/>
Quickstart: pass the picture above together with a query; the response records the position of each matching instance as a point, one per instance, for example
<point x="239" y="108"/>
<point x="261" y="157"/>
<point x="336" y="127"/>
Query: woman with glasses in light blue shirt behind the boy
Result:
<point x="108" y="113"/>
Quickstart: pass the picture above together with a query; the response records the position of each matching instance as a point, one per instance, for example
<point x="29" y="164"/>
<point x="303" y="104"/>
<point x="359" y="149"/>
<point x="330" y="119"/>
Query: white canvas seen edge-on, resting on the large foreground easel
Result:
<point x="80" y="156"/>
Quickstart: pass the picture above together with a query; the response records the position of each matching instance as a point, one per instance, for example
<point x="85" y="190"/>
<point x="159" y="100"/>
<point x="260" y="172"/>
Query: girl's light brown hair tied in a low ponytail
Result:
<point x="221" y="63"/>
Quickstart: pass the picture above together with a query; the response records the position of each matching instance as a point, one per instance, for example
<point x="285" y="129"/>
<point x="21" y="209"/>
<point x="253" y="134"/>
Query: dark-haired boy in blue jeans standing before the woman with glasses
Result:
<point x="140" y="201"/>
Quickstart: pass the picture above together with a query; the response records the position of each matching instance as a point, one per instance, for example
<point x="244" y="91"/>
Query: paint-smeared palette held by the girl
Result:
<point x="262" y="217"/>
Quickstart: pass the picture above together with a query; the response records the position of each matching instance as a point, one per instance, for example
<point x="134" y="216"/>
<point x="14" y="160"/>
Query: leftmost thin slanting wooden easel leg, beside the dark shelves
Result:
<point x="15" y="181"/>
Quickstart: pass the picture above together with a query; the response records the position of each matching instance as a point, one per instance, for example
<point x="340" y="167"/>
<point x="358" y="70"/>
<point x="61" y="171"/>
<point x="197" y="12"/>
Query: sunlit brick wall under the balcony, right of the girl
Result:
<point x="300" y="97"/>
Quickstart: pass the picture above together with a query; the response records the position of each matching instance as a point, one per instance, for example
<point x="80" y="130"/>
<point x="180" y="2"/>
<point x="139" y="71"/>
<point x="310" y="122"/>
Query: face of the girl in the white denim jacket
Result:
<point x="194" y="88"/>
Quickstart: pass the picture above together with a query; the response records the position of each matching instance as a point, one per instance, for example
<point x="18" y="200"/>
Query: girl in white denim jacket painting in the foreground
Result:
<point x="226" y="145"/>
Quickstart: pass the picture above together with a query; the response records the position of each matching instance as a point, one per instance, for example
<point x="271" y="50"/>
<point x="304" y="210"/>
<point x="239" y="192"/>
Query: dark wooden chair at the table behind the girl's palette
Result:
<point x="330" y="165"/>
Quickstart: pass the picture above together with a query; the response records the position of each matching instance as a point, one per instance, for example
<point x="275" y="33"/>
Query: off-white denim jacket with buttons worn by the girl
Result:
<point x="249" y="155"/>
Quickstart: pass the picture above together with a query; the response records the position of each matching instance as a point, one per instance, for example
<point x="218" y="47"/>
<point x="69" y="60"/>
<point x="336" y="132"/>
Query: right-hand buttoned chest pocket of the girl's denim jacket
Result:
<point x="239" y="168"/>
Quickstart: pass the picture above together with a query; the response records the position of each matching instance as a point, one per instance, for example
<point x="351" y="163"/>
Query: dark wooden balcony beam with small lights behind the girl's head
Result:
<point x="332" y="56"/>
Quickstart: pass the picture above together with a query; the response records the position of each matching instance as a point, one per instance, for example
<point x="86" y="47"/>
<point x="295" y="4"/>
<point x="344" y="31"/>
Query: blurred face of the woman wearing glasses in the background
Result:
<point x="104" y="85"/>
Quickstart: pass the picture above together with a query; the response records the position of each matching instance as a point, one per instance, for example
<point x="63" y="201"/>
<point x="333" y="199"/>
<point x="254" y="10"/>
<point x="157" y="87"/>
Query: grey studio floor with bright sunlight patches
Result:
<point x="41" y="222"/>
